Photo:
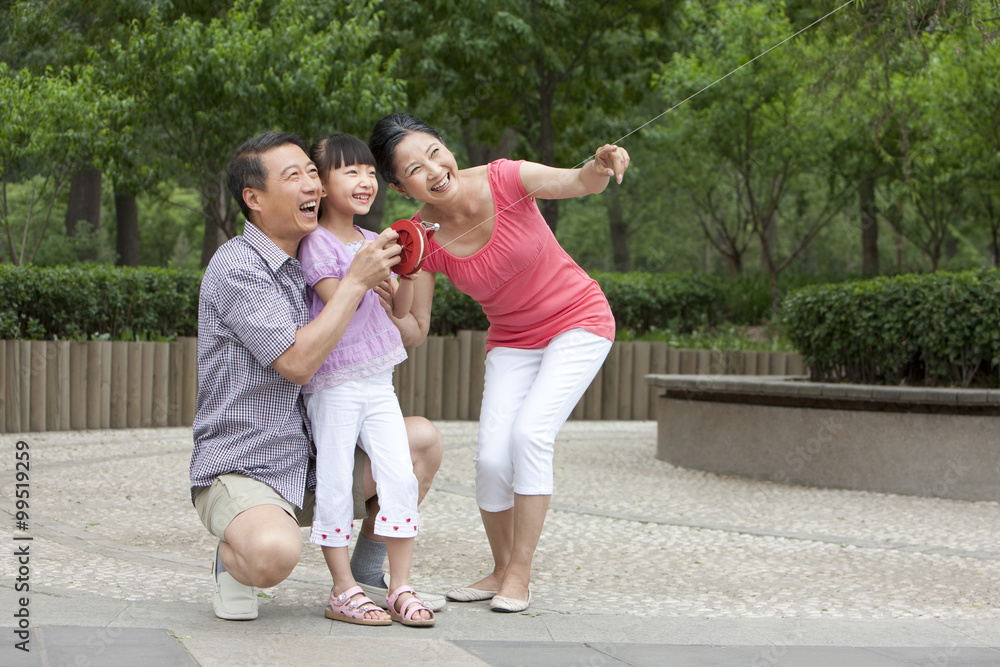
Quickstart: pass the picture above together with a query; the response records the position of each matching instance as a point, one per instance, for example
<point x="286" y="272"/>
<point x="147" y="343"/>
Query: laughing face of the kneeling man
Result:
<point x="286" y="209"/>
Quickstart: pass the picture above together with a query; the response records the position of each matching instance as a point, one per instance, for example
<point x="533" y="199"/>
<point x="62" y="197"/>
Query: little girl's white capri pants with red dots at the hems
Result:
<point x="365" y="408"/>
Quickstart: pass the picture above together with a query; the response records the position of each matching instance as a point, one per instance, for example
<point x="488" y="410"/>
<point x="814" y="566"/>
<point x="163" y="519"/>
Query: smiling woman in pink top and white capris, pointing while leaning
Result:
<point x="550" y="324"/>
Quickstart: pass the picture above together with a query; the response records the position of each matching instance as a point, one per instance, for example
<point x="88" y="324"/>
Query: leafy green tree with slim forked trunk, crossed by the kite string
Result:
<point x="760" y="133"/>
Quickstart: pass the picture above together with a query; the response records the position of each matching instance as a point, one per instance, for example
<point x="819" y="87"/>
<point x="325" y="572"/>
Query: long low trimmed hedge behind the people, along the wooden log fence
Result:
<point x="119" y="303"/>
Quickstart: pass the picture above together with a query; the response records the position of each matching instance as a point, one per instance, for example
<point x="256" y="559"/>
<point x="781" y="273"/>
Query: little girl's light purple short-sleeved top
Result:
<point x="371" y="342"/>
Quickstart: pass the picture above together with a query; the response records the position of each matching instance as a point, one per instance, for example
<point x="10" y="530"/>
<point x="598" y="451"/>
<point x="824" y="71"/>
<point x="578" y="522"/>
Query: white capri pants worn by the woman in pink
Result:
<point x="528" y="395"/>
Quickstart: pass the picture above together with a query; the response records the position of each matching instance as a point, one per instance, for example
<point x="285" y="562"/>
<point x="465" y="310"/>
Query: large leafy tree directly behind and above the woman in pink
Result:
<point x="554" y="72"/>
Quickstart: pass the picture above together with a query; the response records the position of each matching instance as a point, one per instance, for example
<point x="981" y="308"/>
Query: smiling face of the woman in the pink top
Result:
<point x="425" y="168"/>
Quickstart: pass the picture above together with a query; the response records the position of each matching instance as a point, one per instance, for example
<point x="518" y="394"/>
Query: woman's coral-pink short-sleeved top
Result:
<point x="530" y="289"/>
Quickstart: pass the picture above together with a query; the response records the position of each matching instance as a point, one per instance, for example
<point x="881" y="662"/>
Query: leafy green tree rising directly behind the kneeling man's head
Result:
<point x="206" y="87"/>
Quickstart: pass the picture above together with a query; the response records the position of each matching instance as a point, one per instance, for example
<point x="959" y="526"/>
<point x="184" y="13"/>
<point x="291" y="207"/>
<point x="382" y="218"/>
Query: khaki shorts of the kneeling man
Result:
<point x="233" y="493"/>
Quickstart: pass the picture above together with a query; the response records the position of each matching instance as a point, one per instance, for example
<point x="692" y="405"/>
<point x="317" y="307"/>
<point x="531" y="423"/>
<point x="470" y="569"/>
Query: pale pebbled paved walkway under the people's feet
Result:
<point x="640" y="563"/>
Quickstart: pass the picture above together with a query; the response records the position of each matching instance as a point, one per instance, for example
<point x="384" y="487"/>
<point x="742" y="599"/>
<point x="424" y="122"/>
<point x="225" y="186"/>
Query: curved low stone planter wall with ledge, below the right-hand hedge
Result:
<point x="915" y="441"/>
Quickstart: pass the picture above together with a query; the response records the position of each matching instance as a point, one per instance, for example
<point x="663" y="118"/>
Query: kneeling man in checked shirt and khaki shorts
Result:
<point x="251" y="473"/>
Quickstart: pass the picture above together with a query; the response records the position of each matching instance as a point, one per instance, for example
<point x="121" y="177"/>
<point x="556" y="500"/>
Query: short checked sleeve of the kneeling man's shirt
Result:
<point x="254" y="308"/>
